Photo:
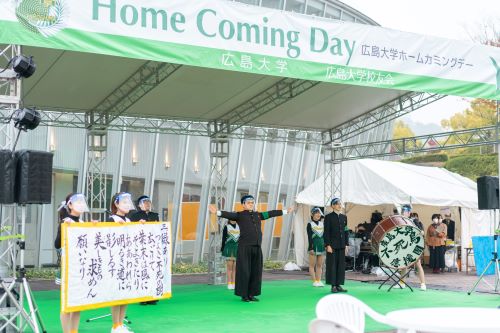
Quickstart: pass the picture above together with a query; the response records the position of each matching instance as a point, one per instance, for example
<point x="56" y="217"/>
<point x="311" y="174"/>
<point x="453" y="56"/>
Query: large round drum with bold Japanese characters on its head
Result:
<point x="398" y="242"/>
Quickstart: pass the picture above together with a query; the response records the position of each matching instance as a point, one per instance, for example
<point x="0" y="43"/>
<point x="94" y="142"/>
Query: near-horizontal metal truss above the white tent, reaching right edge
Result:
<point x="418" y="144"/>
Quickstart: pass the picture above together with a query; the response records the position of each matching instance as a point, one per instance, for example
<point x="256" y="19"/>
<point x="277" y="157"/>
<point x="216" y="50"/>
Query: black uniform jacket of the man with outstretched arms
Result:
<point x="250" y="224"/>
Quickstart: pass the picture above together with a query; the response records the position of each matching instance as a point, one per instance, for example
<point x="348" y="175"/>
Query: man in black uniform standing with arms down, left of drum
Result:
<point x="336" y="236"/>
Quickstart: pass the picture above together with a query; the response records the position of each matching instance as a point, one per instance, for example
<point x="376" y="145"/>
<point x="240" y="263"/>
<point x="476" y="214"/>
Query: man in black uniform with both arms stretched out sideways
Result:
<point x="249" y="259"/>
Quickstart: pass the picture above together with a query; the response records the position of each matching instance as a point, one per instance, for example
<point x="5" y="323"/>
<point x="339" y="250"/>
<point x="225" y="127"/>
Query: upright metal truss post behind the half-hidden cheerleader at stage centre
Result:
<point x="219" y="173"/>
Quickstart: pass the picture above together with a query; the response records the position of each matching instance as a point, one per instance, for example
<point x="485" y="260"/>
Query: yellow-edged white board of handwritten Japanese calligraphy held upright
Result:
<point x="107" y="264"/>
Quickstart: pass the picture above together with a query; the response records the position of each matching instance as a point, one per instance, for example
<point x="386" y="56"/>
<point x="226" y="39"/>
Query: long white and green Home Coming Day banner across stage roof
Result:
<point x="237" y="37"/>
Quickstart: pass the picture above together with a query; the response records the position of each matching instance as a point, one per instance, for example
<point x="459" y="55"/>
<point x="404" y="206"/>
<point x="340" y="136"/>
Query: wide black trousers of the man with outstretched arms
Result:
<point x="248" y="271"/>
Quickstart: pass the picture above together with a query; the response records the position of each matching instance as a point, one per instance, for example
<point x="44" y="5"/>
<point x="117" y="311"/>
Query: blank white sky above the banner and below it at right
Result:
<point x="453" y="19"/>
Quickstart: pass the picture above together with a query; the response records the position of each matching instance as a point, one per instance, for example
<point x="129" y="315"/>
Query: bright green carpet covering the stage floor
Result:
<point x="285" y="306"/>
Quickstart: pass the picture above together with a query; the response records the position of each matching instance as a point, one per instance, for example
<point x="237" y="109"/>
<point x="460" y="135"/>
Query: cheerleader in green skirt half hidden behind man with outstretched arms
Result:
<point x="230" y="237"/>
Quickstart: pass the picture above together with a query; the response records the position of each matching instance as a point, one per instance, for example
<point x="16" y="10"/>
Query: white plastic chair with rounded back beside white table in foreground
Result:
<point x="347" y="311"/>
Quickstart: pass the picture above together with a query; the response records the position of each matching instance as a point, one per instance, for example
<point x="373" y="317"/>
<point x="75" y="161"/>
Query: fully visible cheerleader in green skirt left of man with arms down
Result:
<point x="316" y="246"/>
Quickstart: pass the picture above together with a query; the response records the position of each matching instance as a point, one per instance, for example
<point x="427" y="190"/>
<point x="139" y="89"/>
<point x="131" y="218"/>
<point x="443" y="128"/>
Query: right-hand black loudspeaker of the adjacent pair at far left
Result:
<point x="33" y="177"/>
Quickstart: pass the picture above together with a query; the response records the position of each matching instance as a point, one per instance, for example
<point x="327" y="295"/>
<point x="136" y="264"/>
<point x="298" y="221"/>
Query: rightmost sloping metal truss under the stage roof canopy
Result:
<point x="382" y="114"/>
